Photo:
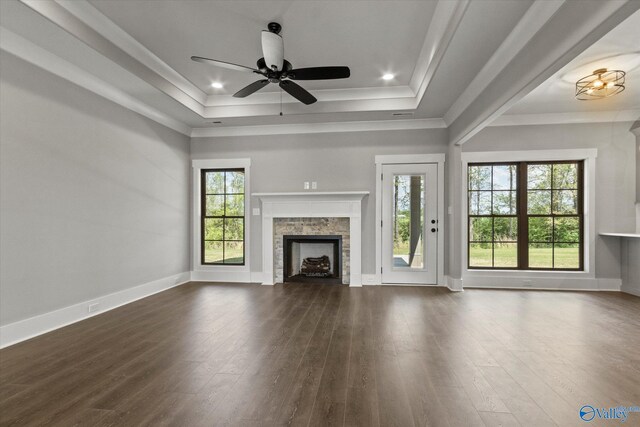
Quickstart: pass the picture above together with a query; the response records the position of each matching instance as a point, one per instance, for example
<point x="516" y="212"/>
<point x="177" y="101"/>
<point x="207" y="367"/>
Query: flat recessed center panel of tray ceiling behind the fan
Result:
<point x="370" y="38"/>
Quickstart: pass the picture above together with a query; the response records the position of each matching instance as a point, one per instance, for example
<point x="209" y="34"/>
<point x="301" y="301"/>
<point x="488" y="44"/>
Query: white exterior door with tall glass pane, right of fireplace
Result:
<point x="409" y="223"/>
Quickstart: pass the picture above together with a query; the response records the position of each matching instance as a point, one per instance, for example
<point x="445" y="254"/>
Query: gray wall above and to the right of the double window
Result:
<point x="615" y="173"/>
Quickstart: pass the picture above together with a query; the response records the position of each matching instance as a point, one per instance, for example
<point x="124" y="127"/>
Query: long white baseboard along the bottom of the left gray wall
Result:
<point x="16" y="332"/>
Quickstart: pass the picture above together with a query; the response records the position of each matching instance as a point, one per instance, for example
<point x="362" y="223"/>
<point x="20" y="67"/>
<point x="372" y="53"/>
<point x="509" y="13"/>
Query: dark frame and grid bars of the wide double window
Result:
<point x="523" y="216"/>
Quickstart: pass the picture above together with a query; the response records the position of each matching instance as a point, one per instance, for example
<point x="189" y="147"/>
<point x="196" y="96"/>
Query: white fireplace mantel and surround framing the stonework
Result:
<point x="316" y="204"/>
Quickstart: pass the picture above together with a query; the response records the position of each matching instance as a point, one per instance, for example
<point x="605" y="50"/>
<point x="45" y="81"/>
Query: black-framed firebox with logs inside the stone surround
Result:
<point x="312" y="258"/>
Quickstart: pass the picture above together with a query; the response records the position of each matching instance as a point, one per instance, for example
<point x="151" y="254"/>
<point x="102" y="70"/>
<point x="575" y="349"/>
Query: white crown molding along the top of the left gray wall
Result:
<point x="27" y="51"/>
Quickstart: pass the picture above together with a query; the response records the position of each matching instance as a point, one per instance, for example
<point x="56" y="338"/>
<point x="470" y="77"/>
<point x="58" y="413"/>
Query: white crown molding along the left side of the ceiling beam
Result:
<point x="531" y="22"/>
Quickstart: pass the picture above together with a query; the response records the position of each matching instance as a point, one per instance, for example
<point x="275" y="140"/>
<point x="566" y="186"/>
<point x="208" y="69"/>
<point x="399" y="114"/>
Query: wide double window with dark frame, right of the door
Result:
<point x="526" y="215"/>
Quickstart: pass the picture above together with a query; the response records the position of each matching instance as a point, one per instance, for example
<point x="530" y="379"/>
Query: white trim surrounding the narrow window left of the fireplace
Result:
<point x="234" y="273"/>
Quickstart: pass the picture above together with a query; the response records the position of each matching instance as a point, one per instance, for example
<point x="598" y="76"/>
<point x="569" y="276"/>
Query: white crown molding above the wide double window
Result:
<point x="566" y="118"/>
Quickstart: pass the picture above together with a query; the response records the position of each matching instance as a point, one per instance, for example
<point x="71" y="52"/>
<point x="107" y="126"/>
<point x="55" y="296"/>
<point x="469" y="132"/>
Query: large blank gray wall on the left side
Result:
<point x="94" y="198"/>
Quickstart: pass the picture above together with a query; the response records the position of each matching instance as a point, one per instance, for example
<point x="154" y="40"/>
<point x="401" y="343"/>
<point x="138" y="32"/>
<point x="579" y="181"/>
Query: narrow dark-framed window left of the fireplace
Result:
<point x="222" y="215"/>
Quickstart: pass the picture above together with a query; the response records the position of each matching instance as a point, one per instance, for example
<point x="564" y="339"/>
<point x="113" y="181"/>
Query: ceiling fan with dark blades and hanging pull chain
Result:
<point x="276" y="69"/>
